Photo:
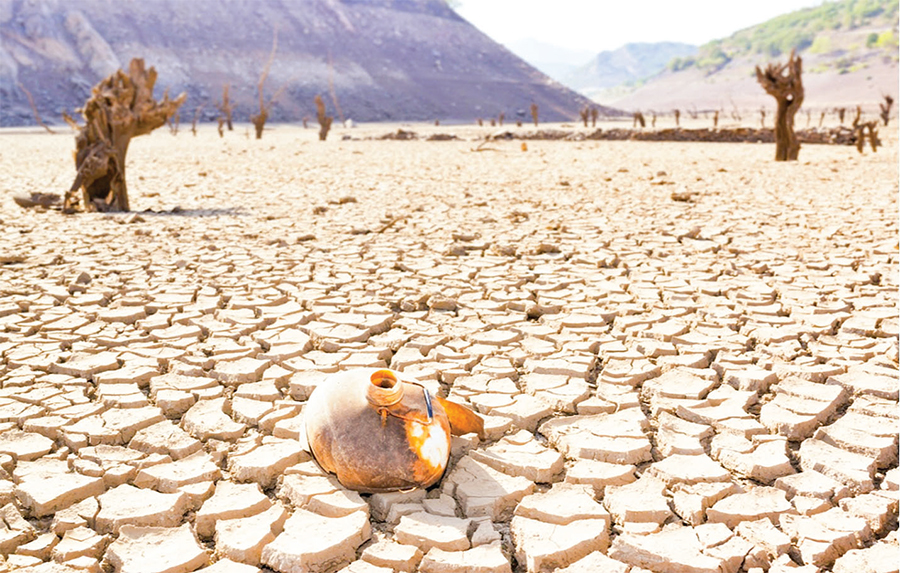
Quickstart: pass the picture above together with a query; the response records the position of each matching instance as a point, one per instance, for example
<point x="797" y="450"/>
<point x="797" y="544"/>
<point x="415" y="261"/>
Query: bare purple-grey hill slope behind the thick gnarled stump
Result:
<point x="386" y="59"/>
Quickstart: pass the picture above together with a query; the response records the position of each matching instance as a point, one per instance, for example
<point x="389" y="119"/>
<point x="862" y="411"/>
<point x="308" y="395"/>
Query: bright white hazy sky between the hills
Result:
<point x="597" y="25"/>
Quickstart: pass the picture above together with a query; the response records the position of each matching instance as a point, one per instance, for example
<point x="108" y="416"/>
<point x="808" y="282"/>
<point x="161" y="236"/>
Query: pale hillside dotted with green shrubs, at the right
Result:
<point x="849" y="51"/>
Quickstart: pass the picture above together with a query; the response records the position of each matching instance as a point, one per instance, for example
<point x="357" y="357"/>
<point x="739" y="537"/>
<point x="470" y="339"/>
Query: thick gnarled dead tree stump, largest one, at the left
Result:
<point x="120" y="107"/>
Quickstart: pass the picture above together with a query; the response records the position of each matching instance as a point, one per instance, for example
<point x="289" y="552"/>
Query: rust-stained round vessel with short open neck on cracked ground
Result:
<point x="379" y="431"/>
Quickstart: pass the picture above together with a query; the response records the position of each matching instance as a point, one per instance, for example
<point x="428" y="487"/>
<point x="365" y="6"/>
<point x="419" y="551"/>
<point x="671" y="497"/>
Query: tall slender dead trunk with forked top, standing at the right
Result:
<point x="784" y="83"/>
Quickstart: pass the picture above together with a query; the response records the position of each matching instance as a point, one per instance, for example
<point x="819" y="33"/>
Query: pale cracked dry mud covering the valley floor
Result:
<point x="674" y="386"/>
